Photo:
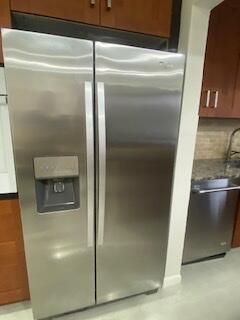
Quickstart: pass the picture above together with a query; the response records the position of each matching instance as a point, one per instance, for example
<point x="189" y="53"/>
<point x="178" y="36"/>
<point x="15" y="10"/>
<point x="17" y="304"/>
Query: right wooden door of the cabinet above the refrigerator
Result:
<point x="150" y="17"/>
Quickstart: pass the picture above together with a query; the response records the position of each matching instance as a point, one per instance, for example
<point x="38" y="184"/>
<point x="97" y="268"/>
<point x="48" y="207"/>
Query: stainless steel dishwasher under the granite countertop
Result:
<point x="210" y="221"/>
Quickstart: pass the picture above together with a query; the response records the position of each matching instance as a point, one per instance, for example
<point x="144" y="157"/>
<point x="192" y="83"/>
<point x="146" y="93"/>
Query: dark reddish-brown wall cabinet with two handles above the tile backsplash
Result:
<point x="221" y="62"/>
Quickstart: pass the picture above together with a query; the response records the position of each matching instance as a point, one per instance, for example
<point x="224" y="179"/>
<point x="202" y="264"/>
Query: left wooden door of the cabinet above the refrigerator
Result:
<point x="76" y="10"/>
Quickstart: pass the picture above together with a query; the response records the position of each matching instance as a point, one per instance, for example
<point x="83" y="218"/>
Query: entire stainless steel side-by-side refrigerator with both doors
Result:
<point x="95" y="128"/>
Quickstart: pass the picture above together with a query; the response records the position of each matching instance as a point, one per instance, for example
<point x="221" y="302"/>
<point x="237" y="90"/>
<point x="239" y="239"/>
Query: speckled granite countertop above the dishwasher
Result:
<point x="210" y="169"/>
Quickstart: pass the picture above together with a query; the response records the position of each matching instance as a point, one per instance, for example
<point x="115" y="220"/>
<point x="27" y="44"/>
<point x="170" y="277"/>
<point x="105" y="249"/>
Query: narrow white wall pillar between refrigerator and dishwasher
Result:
<point x="192" y="42"/>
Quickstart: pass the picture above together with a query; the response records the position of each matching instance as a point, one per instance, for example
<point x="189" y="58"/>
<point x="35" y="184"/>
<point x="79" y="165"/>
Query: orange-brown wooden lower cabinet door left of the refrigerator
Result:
<point x="13" y="274"/>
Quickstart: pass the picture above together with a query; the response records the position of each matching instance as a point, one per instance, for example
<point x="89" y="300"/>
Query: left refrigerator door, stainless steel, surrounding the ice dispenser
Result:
<point x="49" y="83"/>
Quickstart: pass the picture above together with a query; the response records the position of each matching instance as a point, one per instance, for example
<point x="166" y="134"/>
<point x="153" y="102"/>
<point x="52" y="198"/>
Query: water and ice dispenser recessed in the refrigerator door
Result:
<point x="57" y="183"/>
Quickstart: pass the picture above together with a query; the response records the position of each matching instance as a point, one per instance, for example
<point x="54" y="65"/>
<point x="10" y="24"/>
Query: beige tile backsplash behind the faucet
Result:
<point x="213" y="138"/>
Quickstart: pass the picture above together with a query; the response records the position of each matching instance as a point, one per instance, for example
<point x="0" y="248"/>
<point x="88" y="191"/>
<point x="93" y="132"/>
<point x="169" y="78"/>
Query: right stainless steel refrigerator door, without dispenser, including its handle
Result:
<point x="138" y="108"/>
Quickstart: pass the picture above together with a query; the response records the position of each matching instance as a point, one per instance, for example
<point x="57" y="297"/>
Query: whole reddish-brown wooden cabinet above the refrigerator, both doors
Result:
<point x="144" y="16"/>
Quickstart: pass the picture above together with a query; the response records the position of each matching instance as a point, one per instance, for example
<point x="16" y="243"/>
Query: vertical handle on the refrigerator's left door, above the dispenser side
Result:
<point x="90" y="162"/>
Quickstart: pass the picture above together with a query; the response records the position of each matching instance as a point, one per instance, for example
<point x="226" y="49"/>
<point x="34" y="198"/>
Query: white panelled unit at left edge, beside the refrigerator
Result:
<point x="7" y="169"/>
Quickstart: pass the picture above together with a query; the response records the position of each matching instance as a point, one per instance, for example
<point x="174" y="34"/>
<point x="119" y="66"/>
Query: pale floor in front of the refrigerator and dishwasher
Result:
<point x="209" y="290"/>
